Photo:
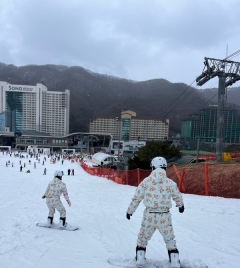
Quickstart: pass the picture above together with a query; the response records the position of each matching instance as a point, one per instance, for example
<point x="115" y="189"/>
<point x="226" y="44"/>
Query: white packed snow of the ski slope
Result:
<point x="207" y="231"/>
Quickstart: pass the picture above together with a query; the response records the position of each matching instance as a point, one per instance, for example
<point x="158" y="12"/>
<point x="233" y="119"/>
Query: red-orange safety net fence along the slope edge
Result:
<point x="199" y="179"/>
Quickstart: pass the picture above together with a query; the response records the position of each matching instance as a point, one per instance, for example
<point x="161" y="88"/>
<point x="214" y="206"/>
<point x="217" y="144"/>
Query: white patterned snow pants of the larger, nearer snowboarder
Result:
<point x="153" y="221"/>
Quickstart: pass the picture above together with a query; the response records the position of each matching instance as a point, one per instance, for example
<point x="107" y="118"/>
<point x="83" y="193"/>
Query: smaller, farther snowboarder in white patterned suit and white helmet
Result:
<point x="53" y="192"/>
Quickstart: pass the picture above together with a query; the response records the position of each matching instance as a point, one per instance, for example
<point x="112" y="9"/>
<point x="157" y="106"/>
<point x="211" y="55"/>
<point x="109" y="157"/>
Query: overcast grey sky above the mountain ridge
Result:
<point x="133" y="39"/>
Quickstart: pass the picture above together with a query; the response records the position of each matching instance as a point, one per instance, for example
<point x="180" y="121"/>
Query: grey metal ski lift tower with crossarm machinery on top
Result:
<point x="228" y="73"/>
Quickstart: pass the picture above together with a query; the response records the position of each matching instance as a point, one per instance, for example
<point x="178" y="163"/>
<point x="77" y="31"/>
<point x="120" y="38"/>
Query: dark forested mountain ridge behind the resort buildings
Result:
<point x="95" y="94"/>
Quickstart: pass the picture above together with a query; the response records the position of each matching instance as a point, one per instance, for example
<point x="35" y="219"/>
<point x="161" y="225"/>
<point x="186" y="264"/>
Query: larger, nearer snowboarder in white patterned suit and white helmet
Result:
<point x="156" y="191"/>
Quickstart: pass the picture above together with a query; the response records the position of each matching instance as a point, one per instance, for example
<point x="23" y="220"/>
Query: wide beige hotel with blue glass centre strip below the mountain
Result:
<point x="130" y="127"/>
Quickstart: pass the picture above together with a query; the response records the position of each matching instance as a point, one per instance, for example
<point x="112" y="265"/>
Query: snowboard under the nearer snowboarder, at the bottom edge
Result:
<point x="131" y="263"/>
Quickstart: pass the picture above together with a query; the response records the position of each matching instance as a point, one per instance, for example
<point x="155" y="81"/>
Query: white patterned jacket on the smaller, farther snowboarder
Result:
<point x="55" y="188"/>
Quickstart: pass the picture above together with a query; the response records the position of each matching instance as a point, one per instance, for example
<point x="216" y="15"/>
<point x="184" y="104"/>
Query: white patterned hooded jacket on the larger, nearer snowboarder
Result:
<point x="156" y="192"/>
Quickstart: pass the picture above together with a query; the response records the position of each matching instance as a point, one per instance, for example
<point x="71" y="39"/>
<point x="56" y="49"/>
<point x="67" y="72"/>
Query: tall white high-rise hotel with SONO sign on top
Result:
<point x="25" y="107"/>
